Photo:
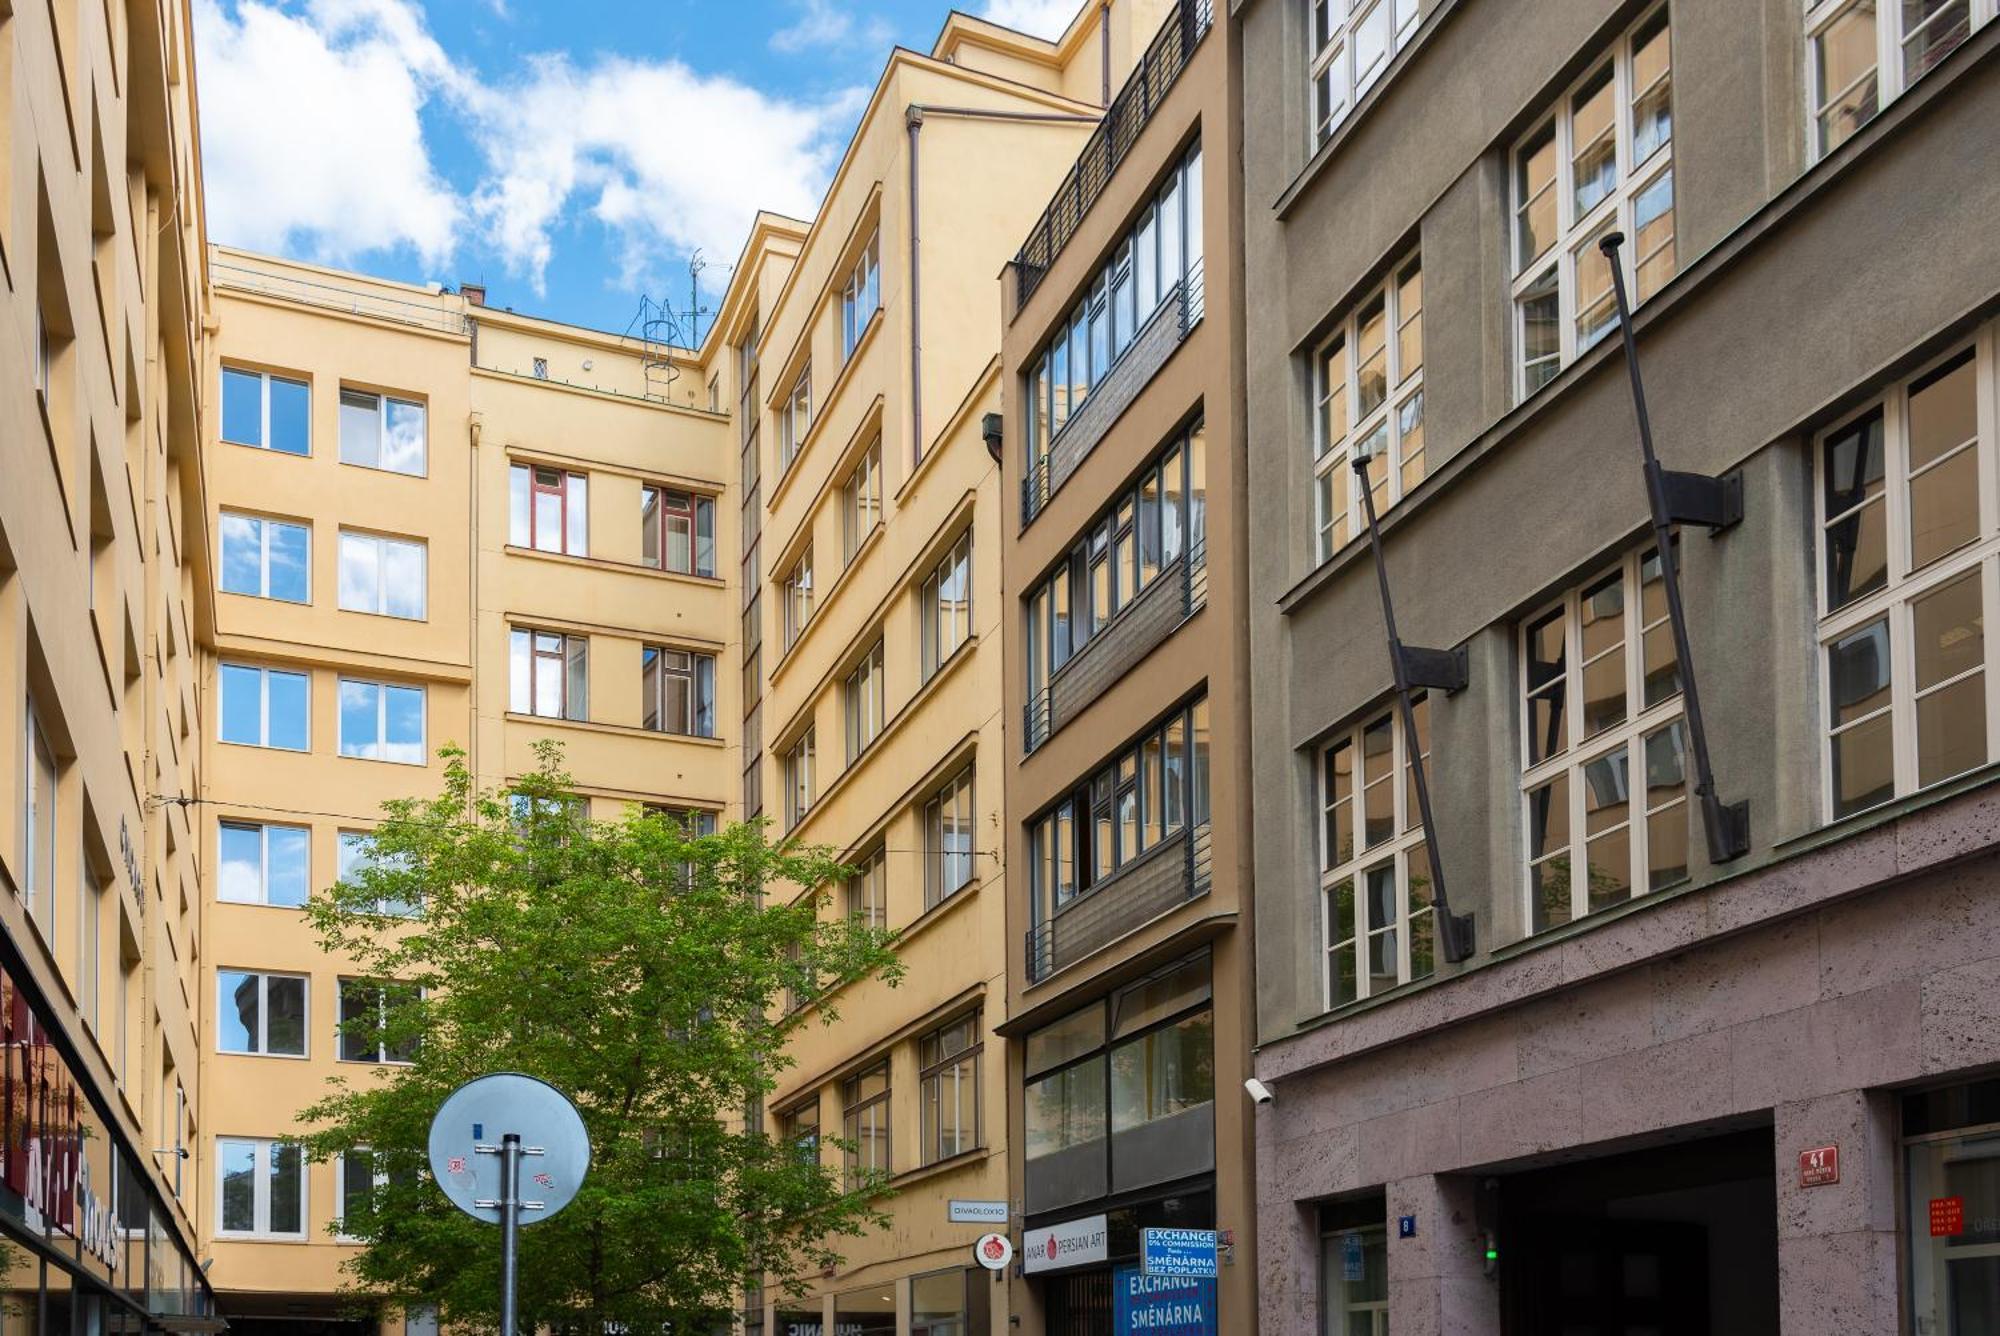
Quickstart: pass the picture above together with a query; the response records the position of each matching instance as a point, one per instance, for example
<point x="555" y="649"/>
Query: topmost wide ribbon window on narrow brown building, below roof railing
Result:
<point x="1145" y="271"/>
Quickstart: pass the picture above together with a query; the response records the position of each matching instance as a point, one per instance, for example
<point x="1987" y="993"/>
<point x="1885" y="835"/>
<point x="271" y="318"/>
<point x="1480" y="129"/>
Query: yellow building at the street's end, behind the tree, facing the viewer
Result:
<point x="435" y="523"/>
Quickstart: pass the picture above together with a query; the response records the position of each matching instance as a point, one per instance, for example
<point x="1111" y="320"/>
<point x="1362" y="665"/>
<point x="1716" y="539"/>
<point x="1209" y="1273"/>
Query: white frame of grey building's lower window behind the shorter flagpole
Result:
<point x="1403" y="851"/>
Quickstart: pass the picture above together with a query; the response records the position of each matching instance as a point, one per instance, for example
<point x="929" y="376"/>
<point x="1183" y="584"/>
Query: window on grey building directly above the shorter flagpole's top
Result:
<point x="1369" y="399"/>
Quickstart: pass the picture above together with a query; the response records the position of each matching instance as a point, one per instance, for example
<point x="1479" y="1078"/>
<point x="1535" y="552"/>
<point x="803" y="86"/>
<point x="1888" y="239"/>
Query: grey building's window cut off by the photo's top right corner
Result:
<point x="1861" y="55"/>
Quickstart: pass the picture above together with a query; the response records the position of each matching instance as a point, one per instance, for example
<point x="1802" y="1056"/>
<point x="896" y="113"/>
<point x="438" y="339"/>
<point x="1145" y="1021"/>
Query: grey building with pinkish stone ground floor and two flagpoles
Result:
<point x="1665" y="1091"/>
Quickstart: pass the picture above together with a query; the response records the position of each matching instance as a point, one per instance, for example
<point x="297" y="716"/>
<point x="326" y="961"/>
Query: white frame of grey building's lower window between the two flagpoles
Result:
<point x="1571" y="765"/>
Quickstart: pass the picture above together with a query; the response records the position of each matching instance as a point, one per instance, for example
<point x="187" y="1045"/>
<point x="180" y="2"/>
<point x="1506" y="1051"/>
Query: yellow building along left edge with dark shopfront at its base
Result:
<point x="105" y="601"/>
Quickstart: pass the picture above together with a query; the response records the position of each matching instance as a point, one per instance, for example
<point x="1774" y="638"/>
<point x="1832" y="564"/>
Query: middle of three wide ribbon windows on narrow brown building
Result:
<point x="1159" y="521"/>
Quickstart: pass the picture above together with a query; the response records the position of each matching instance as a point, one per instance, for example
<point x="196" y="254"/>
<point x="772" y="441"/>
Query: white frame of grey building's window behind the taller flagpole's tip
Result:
<point x="1575" y="235"/>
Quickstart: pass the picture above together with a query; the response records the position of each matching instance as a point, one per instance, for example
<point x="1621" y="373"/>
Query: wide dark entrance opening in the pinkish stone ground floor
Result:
<point x="1679" y="1241"/>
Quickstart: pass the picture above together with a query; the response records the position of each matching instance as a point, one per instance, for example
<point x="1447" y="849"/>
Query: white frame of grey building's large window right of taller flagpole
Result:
<point x="1907" y="583"/>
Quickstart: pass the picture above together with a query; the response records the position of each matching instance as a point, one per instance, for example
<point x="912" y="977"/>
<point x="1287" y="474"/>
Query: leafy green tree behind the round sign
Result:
<point x="641" y="971"/>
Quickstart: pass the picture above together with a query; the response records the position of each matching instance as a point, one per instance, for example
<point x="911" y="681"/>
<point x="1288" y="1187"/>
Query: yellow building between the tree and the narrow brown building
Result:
<point x="865" y="361"/>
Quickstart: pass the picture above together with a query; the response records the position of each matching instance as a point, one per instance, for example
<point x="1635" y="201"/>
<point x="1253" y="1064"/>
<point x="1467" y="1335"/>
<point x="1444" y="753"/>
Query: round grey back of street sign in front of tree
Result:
<point x="467" y="1141"/>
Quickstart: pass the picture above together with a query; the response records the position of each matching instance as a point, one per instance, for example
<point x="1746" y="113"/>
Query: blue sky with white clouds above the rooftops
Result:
<point x="567" y="153"/>
